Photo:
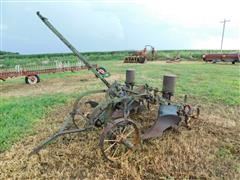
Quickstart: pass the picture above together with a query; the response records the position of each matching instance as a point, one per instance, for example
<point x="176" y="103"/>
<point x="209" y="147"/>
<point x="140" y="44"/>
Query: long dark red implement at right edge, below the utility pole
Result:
<point x="233" y="58"/>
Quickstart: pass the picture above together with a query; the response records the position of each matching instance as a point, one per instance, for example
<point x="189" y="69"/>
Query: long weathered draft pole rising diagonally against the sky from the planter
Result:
<point x="73" y="49"/>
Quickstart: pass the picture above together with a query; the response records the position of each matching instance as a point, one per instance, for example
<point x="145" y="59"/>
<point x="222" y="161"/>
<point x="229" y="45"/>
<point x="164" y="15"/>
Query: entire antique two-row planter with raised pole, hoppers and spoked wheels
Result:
<point x="120" y="134"/>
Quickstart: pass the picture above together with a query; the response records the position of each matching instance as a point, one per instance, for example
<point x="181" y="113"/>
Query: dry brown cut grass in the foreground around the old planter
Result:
<point x="210" y="149"/>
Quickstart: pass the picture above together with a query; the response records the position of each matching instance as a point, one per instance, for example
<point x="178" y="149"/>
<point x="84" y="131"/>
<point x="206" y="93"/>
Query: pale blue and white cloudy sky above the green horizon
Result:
<point x="110" y="25"/>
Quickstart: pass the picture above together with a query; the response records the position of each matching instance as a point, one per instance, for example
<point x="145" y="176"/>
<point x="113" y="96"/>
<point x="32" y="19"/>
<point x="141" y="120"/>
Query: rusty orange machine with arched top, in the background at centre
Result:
<point x="142" y="56"/>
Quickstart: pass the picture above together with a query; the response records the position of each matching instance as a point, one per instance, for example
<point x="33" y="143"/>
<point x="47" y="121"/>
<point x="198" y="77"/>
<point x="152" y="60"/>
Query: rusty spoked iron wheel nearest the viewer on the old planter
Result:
<point x="119" y="139"/>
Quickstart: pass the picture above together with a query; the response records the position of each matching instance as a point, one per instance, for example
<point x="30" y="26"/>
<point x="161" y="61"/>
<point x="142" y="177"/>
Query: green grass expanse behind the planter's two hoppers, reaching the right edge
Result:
<point x="214" y="83"/>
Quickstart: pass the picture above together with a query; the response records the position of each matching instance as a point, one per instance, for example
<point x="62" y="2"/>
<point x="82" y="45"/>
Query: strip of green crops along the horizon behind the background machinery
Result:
<point x="11" y="60"/>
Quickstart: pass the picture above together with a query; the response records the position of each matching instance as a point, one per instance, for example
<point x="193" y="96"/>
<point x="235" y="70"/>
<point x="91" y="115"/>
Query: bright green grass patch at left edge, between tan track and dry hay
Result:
<point x="19" y="114"/>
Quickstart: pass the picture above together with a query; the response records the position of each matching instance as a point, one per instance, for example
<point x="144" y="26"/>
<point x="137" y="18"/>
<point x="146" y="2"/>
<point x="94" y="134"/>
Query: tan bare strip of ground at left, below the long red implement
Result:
<point x="63" y="85"/>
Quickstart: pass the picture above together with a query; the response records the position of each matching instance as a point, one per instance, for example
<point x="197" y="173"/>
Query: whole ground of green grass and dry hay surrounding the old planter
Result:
<point x="210" y="149"/>
